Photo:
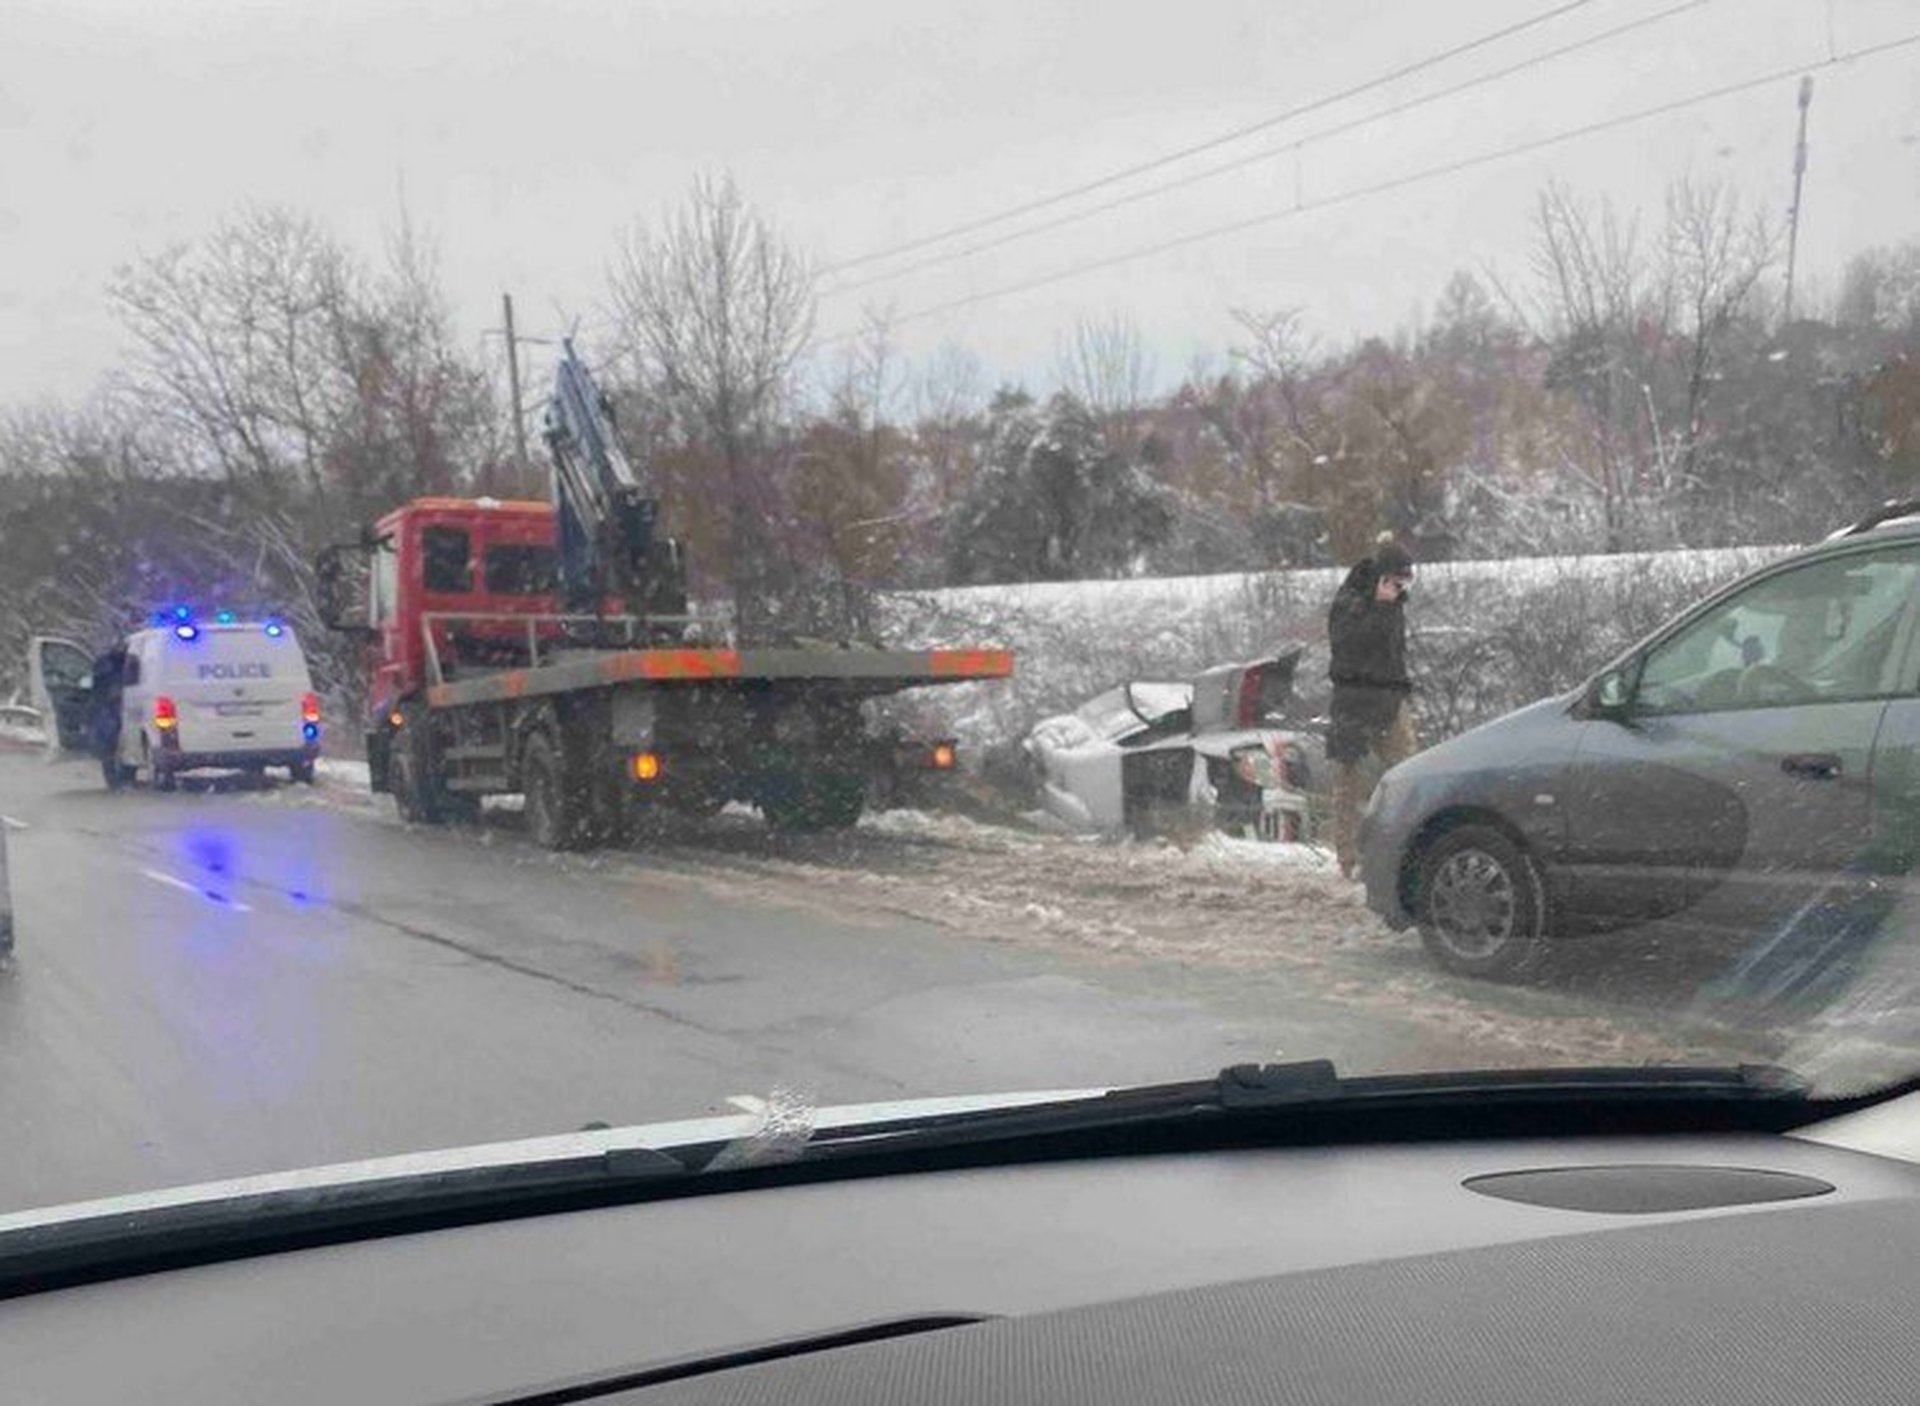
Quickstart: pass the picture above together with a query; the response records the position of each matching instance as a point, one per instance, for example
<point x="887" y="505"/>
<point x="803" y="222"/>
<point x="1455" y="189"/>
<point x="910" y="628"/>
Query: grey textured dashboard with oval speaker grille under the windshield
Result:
<point x="1731" y="1267"/>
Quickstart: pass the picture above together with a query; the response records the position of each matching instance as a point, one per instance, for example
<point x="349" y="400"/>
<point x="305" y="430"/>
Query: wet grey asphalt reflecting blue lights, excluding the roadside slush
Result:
<point x="214" y="982"/>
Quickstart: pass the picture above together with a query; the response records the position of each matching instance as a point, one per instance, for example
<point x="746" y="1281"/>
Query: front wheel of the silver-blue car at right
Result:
<point x="1481" y="904"/>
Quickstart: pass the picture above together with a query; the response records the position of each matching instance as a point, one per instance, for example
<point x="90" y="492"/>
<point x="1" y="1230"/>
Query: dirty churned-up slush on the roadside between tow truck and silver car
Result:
<point x="1226" y="909"/>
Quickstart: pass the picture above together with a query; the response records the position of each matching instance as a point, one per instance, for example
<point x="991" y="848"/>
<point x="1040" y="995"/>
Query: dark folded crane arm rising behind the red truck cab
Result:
<point x="606" y="516"/>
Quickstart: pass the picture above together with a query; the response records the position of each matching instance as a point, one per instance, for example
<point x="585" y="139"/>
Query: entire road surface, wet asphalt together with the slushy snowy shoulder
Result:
<point x="229" y="981"/>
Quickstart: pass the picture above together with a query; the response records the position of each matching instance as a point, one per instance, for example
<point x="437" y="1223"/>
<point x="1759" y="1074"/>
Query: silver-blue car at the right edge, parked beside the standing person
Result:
<point x="1731" y="769"/>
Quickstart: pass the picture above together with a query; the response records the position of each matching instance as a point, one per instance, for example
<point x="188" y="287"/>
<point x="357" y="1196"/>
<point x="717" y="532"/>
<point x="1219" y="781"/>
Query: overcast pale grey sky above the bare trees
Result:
<point x="525" y="133"/>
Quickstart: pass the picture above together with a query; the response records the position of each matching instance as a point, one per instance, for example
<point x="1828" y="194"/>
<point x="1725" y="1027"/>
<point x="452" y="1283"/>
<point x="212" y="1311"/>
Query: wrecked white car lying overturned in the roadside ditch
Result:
<point x="1147" y="758"/>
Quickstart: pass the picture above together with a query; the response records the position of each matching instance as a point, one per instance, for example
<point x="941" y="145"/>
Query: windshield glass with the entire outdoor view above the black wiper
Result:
<point x="625" y="562"/>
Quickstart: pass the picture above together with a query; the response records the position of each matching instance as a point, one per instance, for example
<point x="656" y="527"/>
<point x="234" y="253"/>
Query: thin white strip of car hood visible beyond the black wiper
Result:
<point x="740" y="1128"/>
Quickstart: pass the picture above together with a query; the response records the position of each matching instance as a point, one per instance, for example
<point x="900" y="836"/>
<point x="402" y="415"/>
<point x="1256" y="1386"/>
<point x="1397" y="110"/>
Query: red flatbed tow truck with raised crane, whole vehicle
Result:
<point x="548" y="650"/>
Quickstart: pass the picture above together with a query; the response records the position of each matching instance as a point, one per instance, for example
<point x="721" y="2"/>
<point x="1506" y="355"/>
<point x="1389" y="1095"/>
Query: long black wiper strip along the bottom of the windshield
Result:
<point x="1247" y="1102"/>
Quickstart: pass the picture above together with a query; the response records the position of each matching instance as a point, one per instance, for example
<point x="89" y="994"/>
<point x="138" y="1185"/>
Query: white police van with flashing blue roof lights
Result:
<point x="228" y="694"/>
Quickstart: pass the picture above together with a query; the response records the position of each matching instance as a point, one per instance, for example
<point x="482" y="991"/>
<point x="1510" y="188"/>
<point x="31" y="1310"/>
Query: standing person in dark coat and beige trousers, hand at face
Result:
<point x="1372" y="710"/>
